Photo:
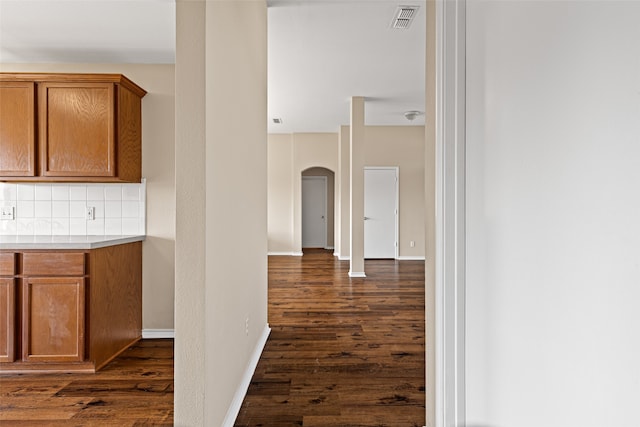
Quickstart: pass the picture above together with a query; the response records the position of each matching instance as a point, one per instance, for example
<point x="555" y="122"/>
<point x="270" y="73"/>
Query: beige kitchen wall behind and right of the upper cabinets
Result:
<point x="158" y="167"/>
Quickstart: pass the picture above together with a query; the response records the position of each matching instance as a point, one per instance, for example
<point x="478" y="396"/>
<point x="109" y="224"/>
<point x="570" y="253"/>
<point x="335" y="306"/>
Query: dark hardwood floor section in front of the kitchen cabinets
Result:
<point x="136" y="389"/>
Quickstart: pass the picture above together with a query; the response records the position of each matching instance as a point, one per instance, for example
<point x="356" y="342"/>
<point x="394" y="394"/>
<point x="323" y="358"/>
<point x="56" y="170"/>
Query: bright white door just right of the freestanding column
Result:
<point x="380" y="212"/>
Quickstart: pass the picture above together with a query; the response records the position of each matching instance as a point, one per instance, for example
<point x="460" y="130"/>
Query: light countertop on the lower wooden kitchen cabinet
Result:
<point x="65" y="242"/>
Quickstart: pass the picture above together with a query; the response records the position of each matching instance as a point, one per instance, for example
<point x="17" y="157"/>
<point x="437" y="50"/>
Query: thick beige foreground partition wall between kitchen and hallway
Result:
<point x="221" y="251"/>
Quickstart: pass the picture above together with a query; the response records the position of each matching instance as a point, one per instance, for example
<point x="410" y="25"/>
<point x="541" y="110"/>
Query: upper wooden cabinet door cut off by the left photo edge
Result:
<point x="17" y="129"/>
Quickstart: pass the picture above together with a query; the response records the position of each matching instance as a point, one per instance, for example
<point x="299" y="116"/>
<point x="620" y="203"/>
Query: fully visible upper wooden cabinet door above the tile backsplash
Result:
<point x="77" y="129"/>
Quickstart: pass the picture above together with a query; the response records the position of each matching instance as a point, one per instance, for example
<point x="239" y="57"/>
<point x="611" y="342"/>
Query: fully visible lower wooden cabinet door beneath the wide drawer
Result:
<point x="53" y="319"/>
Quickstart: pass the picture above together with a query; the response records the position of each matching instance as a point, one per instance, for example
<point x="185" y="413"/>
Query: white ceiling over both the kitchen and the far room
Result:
<point x="321" y="52"/>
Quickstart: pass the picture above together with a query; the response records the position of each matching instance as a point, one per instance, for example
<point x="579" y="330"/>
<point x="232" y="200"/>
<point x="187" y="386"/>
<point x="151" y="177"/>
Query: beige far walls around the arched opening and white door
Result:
<point x="289" y="155"/>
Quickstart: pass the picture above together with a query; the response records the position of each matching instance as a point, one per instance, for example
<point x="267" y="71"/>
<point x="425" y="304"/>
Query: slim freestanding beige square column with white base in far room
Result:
<point x="357" y="187"/>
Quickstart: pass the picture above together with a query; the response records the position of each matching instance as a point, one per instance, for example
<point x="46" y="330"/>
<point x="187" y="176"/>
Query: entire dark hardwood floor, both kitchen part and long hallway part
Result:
<point x="342" y="352"/>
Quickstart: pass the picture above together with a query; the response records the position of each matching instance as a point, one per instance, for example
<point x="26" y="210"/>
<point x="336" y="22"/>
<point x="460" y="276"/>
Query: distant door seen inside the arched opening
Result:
<point x="314" y="211"/>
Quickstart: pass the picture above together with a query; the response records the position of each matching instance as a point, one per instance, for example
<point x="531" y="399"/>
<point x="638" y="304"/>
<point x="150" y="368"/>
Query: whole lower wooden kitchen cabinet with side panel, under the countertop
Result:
<point x="69" y="310"/>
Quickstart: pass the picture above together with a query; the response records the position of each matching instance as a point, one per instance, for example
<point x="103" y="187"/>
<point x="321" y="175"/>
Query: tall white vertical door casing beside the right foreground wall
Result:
<point x="450" y="213"/>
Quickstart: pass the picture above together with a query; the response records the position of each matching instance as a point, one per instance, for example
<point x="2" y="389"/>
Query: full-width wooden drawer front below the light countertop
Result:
<point x="53" y="264"/>
